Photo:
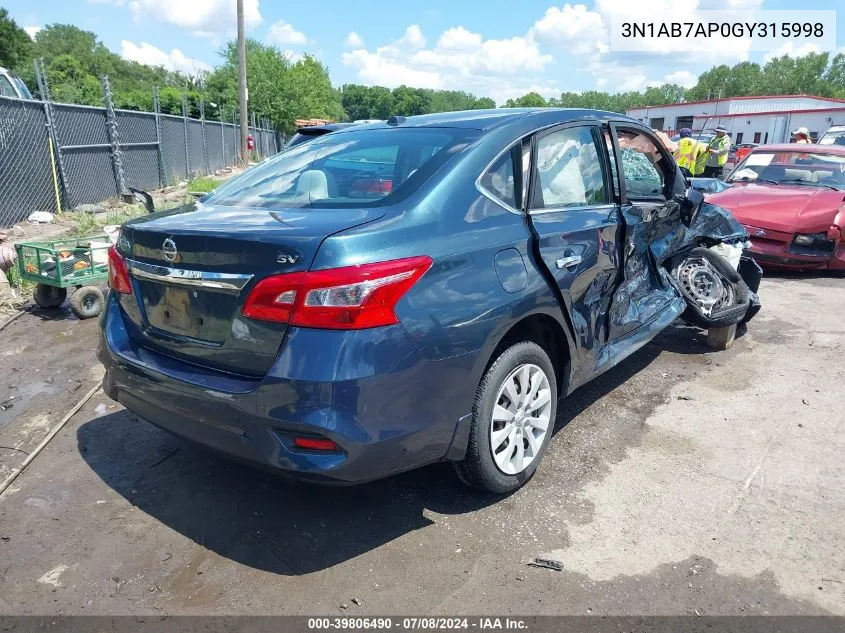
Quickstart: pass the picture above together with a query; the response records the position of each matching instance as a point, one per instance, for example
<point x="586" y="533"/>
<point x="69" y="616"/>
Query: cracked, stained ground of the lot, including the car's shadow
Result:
<point x="682" y="481"/>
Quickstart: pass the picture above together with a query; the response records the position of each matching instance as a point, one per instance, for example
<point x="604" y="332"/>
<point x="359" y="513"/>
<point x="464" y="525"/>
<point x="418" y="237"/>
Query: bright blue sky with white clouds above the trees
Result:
<point x="496" y="48"/>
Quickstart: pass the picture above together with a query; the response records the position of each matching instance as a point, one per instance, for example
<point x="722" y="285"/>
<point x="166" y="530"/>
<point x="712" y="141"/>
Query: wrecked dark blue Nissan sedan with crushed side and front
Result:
<point x="413" y="291"/>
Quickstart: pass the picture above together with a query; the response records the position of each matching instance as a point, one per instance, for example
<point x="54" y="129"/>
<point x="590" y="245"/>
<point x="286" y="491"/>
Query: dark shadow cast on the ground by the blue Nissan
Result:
<point x="269" y="523"/>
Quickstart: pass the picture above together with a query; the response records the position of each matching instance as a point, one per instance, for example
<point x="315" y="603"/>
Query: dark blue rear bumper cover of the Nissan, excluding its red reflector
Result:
<point x="369" y="391"/>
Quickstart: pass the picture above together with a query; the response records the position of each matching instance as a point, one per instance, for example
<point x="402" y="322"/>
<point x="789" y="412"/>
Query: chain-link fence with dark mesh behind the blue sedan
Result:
<point x="56" y="156"/>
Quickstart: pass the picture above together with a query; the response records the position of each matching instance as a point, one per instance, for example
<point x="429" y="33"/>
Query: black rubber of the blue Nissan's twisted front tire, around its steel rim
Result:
<point x="728" y="315"/>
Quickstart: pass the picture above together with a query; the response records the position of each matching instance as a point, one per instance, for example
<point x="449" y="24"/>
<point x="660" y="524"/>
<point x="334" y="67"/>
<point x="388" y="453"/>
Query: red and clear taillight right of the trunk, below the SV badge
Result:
<point x="350" y="298"/>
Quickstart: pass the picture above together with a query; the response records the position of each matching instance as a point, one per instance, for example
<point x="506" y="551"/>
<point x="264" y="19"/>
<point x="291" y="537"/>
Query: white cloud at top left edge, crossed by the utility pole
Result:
<point x="205" y="18"/>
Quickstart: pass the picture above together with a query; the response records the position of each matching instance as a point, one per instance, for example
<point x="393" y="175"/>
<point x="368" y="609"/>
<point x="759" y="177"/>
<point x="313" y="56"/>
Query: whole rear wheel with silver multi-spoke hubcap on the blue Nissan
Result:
<point x="513" y="419"/>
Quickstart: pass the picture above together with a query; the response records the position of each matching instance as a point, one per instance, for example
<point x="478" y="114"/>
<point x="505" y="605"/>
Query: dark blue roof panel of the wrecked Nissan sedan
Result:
<point x="494" y="118"/>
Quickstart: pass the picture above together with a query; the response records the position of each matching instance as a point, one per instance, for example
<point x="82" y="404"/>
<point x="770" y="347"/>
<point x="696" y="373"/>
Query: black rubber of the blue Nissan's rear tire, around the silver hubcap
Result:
<point x="479" y="468"/>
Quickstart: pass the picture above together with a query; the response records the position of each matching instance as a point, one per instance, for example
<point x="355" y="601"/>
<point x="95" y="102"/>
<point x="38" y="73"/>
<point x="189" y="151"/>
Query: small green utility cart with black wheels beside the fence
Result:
<point x="80" y="263"/>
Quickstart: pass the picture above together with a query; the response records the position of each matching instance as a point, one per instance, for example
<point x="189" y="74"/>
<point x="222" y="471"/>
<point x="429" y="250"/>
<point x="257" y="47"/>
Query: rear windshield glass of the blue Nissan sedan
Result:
<point x="350" y="169"/>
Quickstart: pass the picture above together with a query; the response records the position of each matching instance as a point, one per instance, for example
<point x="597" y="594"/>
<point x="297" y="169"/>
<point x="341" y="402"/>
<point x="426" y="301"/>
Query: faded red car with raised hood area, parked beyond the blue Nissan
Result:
<point x="791" y="199"/>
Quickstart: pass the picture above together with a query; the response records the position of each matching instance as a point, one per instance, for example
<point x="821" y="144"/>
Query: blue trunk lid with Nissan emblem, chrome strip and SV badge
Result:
<point x="193" y="268"/>
